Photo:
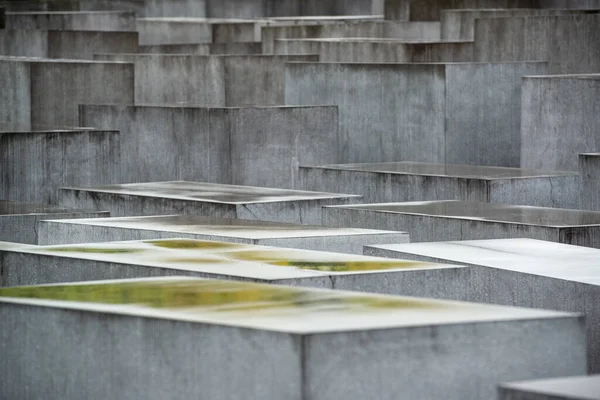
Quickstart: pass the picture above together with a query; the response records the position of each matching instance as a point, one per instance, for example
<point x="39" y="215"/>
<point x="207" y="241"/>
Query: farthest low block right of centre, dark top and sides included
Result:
<point x="411" y="181"/>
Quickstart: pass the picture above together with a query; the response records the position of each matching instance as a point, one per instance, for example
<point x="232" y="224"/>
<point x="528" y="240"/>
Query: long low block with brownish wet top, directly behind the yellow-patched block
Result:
<point x="265" y="233"/>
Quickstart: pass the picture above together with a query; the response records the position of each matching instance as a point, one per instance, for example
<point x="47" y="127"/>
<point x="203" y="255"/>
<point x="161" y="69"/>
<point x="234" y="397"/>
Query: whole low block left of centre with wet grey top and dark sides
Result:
<point x="206" y="199"/>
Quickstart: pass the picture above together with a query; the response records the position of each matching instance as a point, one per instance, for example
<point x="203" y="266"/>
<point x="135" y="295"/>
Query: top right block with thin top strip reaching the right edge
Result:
<point x="460" y="24"/>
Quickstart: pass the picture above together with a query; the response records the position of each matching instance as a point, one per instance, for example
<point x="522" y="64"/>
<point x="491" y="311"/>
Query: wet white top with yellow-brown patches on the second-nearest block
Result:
<point x="225" y="258"/>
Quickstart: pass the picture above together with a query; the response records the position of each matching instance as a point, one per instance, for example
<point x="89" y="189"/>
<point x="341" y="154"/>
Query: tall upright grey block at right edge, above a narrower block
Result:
<point x="559" y="120"/>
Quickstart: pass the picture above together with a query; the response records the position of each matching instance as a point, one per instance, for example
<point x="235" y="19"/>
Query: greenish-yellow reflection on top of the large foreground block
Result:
<point x="213" y="295"/>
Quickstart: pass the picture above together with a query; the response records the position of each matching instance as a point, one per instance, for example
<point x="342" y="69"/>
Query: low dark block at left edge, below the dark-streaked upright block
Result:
<point x="18" y="221"/>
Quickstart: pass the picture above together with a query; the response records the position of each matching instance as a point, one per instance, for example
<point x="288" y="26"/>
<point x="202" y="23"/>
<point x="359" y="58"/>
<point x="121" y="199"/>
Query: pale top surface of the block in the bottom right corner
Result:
<point x="573" y="387"/>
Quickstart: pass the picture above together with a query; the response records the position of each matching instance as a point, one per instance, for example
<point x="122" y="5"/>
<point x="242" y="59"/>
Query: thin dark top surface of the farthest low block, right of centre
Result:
<point x="449" y="170"/>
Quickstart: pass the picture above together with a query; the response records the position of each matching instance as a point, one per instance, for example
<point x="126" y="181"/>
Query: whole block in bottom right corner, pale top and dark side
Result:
<point x="570" y="388"/>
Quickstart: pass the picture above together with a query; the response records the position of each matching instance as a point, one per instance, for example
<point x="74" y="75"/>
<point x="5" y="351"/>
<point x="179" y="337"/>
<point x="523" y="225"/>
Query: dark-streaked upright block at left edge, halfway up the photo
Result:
<point x="37" y="164"/>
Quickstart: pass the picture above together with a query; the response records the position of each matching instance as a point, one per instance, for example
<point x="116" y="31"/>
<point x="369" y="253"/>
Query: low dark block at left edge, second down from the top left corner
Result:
<point x="65" y="43"/>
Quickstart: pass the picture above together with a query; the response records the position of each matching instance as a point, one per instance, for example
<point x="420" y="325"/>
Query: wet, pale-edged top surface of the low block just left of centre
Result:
<point x="212" y="192"/>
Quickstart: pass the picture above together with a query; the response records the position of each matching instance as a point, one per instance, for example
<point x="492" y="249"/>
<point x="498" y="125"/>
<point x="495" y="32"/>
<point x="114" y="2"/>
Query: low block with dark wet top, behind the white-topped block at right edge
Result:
<point x="431" y="221"/>
